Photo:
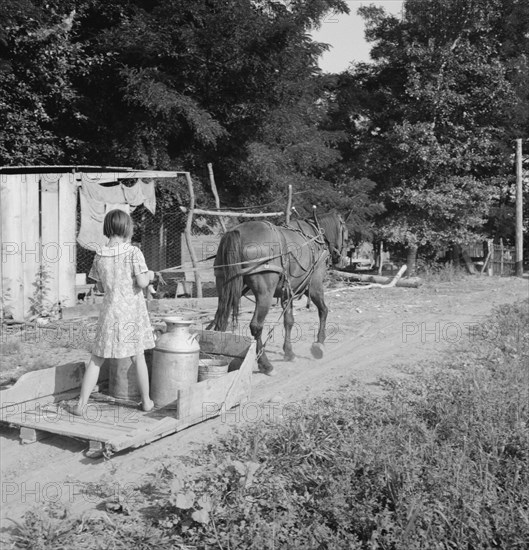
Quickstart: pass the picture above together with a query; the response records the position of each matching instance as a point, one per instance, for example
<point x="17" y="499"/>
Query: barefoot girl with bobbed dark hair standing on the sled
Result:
<point x="123" y="328"/>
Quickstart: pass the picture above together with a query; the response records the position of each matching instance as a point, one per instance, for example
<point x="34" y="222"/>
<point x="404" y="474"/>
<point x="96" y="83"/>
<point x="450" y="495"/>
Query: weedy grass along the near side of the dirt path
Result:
<point x="440" y="461"/>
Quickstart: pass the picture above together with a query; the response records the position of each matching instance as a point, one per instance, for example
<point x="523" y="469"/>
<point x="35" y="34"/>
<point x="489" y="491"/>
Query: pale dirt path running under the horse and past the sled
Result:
<point x="370" y="332"/>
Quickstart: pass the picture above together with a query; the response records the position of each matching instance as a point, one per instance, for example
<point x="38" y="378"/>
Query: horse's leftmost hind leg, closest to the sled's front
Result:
<point x="263" y="286"/>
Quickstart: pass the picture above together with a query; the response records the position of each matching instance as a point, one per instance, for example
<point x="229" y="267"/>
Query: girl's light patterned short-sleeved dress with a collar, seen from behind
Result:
<point x="124" y="328"/>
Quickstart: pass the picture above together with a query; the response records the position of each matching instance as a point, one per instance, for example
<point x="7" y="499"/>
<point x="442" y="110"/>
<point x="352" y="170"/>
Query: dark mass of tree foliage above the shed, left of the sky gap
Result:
<point x="170" y="85"/>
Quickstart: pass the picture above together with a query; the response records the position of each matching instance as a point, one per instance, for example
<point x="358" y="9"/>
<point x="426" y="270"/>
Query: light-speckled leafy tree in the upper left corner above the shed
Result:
<point x="37" y="98"/>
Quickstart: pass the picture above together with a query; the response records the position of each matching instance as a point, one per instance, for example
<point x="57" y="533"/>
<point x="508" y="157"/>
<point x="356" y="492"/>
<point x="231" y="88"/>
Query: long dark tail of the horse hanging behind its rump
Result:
<point x="230" y="257"/>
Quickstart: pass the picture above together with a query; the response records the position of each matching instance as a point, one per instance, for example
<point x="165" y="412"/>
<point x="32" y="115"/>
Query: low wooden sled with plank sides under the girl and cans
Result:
<point x="36" y="402"/>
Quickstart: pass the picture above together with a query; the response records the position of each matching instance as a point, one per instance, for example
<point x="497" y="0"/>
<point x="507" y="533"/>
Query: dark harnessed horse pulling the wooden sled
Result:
<point x="273" y="261"/>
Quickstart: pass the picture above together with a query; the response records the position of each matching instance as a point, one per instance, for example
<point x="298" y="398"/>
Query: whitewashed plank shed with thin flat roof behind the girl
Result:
<point x="38" y="229"/>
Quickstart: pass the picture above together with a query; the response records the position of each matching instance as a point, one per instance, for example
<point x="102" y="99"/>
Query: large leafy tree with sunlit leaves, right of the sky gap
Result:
<point x="433" y="117"/>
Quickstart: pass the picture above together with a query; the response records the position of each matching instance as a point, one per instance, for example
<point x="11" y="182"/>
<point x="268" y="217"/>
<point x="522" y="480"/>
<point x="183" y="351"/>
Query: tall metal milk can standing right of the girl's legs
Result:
<point x="175" y="361"/>
